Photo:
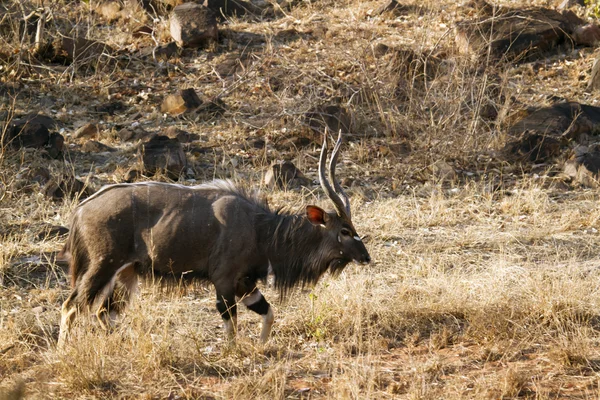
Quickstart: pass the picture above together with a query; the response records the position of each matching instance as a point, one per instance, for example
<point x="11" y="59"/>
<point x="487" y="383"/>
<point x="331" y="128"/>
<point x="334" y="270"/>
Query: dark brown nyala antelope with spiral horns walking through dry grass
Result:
<point x="216" y="232"/>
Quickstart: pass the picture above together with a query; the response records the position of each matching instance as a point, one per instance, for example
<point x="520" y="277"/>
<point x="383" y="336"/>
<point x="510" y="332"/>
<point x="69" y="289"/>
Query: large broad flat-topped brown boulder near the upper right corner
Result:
<point x="513" y="34"/>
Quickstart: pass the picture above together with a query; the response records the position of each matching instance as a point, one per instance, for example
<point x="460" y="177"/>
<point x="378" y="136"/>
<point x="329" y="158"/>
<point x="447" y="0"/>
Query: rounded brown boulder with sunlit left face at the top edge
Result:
<point x="193" y="25"/>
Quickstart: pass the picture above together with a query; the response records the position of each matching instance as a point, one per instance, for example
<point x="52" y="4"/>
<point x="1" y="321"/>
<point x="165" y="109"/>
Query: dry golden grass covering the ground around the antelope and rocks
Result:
<point x="484" y="286"/>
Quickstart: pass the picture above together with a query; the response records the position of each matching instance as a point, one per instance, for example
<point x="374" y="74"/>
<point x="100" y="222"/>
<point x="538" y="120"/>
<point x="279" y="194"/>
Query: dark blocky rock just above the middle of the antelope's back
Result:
<point x="163" y="155"/>
